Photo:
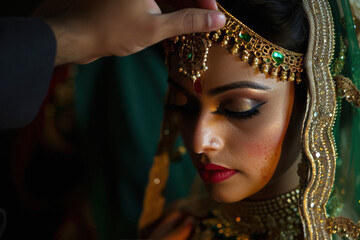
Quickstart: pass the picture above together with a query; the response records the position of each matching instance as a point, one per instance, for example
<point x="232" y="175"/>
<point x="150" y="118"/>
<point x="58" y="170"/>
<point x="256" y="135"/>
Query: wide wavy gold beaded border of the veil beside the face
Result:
<point x="318" y="140"/>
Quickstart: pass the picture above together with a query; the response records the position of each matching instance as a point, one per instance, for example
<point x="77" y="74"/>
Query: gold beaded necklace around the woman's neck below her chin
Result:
<point x="276" y="218"/>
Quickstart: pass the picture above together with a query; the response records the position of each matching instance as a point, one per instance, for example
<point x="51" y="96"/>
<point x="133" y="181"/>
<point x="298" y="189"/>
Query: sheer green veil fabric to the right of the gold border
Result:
<point x="345" y="198"/>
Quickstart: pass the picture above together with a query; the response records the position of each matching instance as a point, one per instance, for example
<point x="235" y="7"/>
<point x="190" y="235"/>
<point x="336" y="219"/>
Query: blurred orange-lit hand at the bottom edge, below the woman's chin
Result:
<point x="175" y="226"/>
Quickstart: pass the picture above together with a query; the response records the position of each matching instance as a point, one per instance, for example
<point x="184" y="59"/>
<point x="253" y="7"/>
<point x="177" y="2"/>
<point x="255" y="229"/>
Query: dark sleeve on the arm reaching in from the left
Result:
<point x="27" y="55"/>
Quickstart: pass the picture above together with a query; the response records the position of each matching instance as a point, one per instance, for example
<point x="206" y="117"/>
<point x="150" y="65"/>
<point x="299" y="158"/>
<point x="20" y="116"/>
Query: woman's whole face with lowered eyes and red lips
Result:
<point x="233" y="131"/>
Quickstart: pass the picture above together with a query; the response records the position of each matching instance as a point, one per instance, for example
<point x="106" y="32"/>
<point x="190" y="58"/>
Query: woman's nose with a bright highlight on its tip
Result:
<point x="206" y="137"/>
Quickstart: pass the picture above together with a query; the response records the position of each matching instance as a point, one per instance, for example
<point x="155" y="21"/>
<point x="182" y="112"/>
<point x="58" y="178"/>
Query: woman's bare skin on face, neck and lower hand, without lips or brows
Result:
<point x="265" y="149"/>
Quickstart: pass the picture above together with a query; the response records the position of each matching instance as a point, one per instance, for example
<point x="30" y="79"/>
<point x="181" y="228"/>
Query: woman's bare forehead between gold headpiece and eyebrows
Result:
<point x="225" y="68"/>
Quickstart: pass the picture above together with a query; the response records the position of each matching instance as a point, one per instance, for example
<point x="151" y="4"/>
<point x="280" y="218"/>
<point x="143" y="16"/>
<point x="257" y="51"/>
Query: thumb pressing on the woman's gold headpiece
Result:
<point x="188" y="21"/>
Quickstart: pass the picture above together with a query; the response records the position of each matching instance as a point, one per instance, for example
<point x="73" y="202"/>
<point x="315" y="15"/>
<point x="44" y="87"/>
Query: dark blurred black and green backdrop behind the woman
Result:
<point x="80" y="169"/>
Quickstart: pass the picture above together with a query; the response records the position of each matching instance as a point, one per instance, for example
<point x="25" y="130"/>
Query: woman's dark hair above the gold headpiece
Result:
<point x="282" y="22"/>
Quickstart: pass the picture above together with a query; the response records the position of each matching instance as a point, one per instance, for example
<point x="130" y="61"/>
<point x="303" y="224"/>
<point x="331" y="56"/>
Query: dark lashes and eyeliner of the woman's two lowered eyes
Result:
<point x="188" y="109"/>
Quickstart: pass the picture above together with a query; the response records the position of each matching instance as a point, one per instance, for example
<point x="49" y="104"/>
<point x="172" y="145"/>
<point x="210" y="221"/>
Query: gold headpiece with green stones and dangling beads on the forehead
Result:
<point x="271" y="59"/>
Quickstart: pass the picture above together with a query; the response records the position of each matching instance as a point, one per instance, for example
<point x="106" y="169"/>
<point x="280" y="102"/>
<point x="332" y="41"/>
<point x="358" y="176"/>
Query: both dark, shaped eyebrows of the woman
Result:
<point x="224" y="88"/>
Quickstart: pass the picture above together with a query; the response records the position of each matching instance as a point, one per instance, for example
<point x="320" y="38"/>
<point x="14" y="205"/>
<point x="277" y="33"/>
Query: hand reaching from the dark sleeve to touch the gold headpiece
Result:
<point x="89" y="29"/>
